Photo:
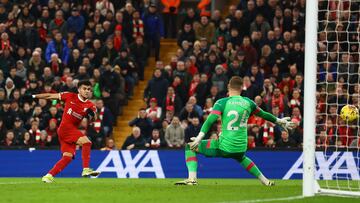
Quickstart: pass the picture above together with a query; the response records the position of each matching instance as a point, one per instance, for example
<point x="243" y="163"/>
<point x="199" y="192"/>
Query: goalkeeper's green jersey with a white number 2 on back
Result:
<point x="234" y="112"/>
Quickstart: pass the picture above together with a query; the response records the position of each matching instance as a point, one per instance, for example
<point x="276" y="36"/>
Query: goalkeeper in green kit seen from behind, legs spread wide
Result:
<point x="234" y="112"/>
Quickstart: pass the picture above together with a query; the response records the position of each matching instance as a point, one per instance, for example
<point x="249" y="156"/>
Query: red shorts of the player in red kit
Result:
<point x="68" y="139"/>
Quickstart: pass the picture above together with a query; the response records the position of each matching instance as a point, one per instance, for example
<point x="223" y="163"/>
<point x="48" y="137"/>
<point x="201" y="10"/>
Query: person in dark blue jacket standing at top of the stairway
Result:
<point x="154" y="29"/>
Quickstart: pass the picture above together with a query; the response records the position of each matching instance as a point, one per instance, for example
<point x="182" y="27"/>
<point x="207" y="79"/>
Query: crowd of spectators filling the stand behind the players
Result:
<point x="48" y="46"/>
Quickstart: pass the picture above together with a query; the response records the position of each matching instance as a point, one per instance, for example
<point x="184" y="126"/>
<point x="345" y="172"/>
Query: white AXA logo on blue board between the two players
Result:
<point x="125" y="165"/>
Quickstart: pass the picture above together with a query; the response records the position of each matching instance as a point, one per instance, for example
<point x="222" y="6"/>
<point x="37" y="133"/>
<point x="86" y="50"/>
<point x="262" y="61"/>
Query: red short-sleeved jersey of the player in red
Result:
<point x="75" y="109"/>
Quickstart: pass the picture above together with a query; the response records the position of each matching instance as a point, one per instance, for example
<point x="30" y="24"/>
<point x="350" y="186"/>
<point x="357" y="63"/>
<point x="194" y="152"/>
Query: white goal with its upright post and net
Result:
<point x="332" y="151"/>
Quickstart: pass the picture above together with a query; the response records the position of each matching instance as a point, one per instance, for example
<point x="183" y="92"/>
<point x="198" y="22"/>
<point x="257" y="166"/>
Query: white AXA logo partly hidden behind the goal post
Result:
<point x="329" y="166"/>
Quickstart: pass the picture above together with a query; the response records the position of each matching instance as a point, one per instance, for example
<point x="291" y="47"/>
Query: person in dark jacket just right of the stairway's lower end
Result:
<point x="143" y="122"/>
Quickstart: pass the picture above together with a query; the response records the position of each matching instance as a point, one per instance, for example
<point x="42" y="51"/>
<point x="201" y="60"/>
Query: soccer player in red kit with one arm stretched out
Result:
<point x="77" y="107"/>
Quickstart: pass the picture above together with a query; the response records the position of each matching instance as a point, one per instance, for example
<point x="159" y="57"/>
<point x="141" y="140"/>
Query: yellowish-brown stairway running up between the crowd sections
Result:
<point x="122" y="129"/>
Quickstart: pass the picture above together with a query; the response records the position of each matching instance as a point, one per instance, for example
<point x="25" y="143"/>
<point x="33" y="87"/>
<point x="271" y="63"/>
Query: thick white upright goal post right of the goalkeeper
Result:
<point x="311" y="26"/>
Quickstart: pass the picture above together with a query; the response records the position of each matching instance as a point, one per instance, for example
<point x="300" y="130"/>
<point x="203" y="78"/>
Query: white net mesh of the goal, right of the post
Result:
<point x="338" y="84"/>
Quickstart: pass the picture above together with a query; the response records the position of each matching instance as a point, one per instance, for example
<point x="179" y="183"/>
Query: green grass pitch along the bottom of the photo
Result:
<point x="67" y="190"/>
